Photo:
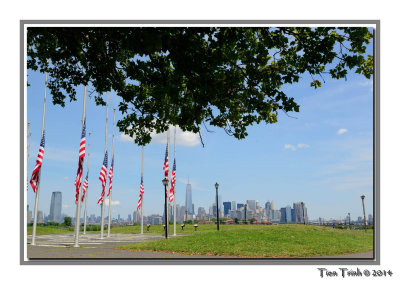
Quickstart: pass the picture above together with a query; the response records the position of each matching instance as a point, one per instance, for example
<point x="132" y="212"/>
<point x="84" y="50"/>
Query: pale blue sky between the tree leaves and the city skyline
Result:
<point x="323" y="157"/>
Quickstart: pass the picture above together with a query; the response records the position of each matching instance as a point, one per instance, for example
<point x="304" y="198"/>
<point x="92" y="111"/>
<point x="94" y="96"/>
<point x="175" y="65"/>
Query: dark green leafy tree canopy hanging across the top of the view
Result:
<point x="226" y="77"/>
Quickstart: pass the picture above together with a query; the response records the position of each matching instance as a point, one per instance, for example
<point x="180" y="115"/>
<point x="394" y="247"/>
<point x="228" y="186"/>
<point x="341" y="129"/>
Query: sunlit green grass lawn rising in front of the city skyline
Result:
<point x="262" y="241"/>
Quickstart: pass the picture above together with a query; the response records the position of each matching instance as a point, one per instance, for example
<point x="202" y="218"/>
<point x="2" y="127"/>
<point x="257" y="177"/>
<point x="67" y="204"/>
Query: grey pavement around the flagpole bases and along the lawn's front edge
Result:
<point x="60" y="246"/>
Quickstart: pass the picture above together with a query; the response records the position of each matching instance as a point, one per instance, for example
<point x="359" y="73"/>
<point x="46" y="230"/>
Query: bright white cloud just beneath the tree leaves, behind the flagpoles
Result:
<point x="182" y="138"/>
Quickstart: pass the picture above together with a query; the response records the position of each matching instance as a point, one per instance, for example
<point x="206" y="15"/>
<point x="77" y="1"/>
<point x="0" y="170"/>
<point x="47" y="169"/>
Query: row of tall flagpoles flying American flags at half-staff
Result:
<point x="81" y="189"/>
